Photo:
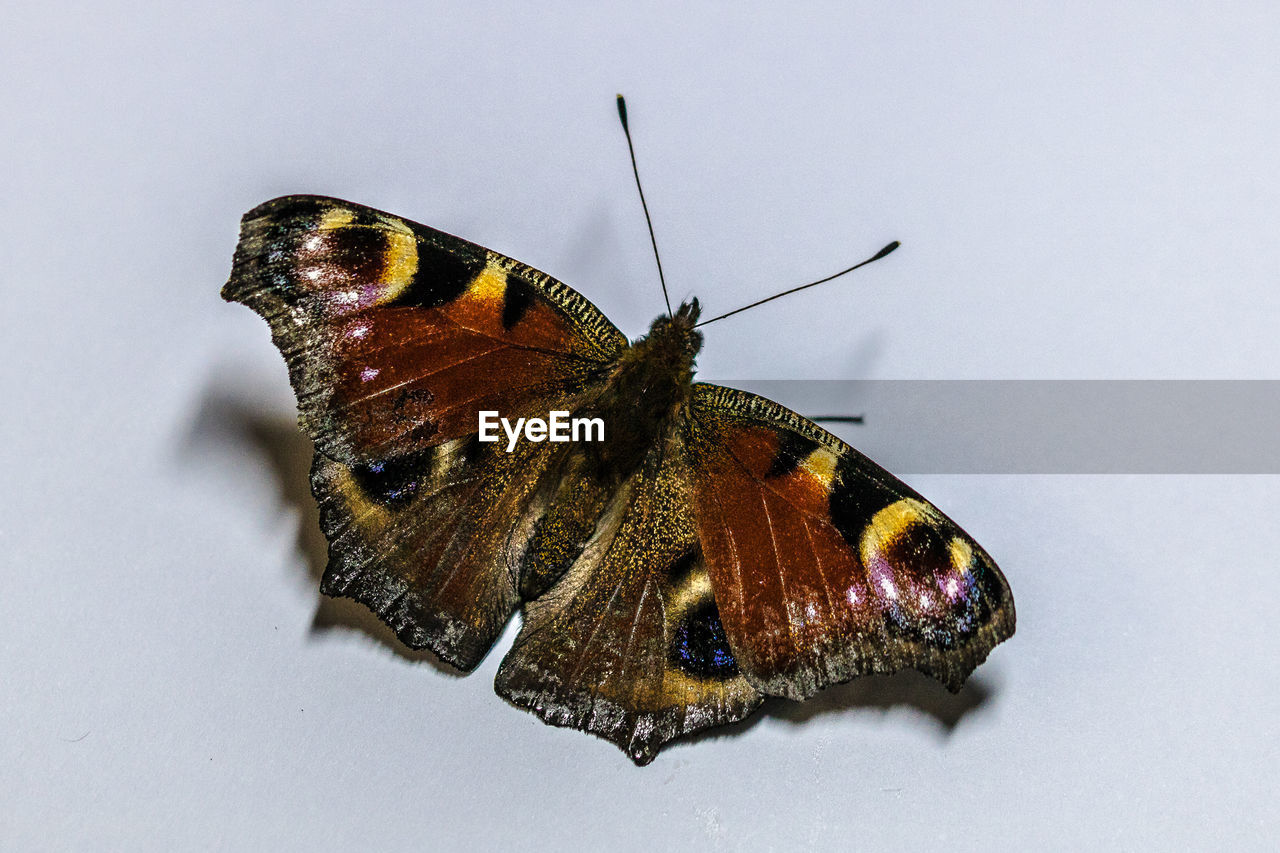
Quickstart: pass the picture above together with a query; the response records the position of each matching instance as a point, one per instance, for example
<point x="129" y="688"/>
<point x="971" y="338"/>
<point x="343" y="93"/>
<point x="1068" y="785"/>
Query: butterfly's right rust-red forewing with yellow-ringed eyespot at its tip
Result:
<point x="825" y="565"/>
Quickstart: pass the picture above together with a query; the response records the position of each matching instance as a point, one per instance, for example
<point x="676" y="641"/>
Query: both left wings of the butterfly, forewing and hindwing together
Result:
<point x="396" y="337"/>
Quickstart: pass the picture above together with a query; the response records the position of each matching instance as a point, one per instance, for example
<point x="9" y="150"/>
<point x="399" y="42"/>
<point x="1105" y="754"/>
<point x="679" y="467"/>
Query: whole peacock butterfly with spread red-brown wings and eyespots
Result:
<point x="711" y="550"/>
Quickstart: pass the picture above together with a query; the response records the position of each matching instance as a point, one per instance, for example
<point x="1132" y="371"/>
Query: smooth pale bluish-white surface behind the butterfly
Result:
<point x="1080" y="195"/>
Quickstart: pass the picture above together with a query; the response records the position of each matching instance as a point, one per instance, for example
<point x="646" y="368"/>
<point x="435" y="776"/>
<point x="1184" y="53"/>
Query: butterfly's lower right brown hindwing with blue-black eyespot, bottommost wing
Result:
<point x="629" y="644"/>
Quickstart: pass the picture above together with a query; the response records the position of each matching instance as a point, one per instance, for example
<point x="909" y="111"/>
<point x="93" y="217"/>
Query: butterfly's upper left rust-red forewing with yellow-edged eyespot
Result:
<point x="399" y="335"/>
